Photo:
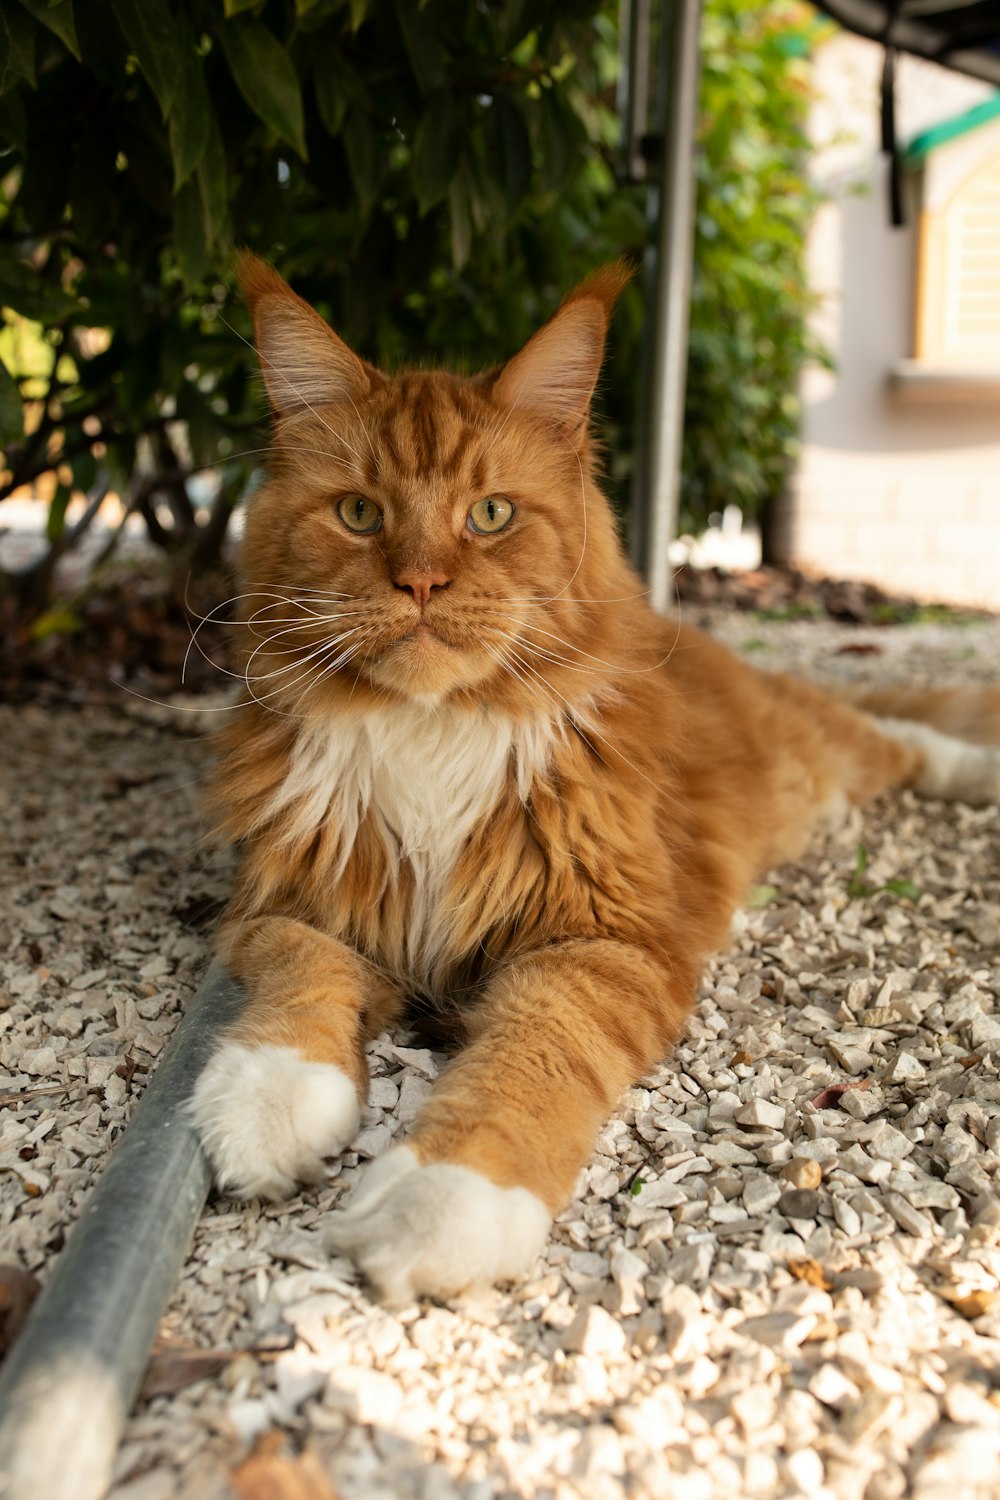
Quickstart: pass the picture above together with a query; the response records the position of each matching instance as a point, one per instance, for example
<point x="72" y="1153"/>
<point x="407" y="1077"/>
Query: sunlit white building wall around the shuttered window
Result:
<point x="902" y="493"/>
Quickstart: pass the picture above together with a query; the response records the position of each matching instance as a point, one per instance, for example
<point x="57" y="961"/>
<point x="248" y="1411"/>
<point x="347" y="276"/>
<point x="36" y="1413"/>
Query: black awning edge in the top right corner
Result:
<point x="965" y="37"/>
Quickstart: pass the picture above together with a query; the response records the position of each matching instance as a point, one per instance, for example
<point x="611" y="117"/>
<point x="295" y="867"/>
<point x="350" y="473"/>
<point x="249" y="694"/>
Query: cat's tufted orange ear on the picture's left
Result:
<point x="302" y="359"/>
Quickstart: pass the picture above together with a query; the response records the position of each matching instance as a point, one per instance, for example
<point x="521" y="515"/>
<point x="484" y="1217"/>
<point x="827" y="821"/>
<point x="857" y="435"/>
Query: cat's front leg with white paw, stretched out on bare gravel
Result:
<point x="469" y="1201"/>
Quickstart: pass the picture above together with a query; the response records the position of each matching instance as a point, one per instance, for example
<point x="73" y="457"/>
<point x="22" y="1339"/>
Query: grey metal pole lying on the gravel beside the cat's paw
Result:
<point x="70" y="1382"/>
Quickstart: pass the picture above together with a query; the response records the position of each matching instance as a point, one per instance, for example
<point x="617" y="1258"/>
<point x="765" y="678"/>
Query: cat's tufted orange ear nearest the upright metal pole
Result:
<point x="557" y="370"/>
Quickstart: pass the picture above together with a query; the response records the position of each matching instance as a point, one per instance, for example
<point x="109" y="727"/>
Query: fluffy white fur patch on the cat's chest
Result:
<point x="428" y="776"/>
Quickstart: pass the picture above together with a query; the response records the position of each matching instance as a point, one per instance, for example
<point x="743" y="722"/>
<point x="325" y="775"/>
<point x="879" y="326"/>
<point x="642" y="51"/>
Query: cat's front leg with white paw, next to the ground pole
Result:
<point x="283" y="1091"/>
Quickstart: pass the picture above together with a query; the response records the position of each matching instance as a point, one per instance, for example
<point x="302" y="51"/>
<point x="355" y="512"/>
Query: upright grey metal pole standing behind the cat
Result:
<point x="659" y="469"/>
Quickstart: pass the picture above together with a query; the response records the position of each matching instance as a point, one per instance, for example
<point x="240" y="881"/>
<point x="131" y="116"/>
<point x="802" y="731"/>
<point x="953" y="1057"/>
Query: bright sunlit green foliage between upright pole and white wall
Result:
<point x="750" y="298"/>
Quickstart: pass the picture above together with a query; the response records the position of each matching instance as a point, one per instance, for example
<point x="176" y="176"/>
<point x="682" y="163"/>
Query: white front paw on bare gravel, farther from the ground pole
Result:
<point x="437" y="1231"/>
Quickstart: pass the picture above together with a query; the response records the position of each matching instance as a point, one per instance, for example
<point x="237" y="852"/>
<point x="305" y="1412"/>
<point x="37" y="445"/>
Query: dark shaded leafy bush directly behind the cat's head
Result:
<point x="431" y="176"/>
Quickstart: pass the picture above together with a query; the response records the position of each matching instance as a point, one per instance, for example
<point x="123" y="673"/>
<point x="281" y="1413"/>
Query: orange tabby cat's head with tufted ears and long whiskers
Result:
<point x="427" y="535"/>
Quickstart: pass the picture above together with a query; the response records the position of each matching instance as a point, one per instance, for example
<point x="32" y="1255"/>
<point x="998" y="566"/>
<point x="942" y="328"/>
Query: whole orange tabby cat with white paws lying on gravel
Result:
<point x="475" y="767"/>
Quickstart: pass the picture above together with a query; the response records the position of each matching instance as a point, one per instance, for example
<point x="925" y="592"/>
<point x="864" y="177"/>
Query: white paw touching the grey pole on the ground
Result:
<point x="268" y="1118"/>
